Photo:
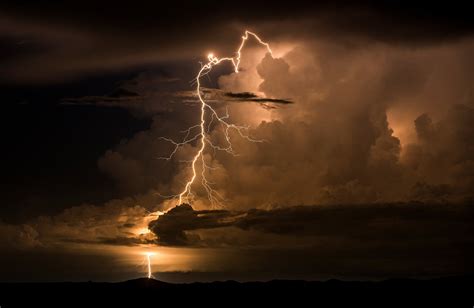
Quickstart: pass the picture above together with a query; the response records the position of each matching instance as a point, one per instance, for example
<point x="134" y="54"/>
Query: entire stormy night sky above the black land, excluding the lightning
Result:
<point x="355" y="157"/>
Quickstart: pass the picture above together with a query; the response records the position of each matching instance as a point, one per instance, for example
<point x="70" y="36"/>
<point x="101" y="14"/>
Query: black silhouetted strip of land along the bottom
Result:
<point x="444" y="292"/>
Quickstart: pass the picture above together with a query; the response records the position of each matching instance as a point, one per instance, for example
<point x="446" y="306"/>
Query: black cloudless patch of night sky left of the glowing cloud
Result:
<point x="53" y="149"/>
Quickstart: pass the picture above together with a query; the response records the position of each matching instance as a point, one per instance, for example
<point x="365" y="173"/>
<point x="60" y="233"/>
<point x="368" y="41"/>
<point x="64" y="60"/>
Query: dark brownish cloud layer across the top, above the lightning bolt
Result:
<point x="49" y="42"/>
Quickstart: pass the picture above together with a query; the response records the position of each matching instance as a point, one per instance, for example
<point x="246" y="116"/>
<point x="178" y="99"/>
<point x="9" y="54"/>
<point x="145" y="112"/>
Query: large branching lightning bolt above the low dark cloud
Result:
<point x="200" y="132"/>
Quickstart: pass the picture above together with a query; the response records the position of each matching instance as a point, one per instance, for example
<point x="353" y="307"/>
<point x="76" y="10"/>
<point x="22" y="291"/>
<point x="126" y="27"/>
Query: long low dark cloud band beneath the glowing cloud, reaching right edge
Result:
<point x="402" y="223"/>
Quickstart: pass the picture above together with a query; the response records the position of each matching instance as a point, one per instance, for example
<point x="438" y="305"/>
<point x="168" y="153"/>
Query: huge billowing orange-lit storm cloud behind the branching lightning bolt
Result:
<point x="368" y="124"/>
